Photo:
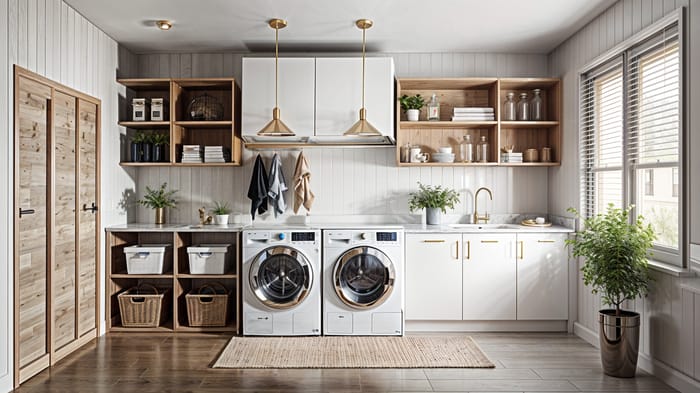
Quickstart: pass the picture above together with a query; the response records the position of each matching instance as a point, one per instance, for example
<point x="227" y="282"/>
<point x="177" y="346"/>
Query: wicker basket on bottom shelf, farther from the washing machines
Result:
<point x="143" y="306"/>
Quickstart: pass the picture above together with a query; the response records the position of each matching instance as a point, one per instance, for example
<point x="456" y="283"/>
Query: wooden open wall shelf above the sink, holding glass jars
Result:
<point x="480" y="92"/>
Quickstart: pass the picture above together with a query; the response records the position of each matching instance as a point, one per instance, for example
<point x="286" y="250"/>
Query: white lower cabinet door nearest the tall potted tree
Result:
<point x="542" y="277"/>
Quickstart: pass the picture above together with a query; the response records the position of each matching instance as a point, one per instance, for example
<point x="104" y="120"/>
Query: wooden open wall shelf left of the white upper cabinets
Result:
<point x="180" y="127"/>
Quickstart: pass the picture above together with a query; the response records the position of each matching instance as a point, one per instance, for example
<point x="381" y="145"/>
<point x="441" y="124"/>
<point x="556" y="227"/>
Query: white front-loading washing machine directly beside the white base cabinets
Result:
<point x="363" y="284"/>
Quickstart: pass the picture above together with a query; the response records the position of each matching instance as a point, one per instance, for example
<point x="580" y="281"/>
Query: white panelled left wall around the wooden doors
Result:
<point x="50" y="38"/>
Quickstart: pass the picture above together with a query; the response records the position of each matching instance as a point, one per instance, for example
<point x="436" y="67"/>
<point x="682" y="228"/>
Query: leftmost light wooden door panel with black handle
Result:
<point x="32" y="212"/>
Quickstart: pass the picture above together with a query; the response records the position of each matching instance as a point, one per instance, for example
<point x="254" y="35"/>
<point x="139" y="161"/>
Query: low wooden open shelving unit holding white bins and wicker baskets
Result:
<point x="178" y="280"/>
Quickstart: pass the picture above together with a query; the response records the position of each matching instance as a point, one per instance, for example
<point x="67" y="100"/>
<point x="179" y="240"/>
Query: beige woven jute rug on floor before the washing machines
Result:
<point x="352" y="352"/>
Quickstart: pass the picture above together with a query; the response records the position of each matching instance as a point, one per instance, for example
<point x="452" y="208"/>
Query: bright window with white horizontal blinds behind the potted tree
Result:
<point x="630" y="132"/>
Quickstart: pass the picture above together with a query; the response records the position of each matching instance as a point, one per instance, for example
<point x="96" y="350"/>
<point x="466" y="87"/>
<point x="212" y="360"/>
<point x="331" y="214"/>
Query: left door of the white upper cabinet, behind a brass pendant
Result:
<point x="295" y="94"/>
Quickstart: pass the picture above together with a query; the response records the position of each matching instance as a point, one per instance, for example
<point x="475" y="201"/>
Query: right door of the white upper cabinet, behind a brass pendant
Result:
<point x="339" y="94"/>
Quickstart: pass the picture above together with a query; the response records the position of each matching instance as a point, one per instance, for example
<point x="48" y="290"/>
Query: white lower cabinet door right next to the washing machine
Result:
<point x="433" y="276"/>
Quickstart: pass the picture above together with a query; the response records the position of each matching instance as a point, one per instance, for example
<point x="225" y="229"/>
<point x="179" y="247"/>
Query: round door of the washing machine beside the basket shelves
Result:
<point x="281" y="277"/>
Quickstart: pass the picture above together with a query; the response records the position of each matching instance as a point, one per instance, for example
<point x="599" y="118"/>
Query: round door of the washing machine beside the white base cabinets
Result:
<point x="363" y="277"/>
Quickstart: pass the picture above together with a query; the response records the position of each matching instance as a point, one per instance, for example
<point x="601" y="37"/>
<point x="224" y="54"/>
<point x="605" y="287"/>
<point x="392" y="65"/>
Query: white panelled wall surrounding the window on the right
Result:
<point x="670" y="328"/>
